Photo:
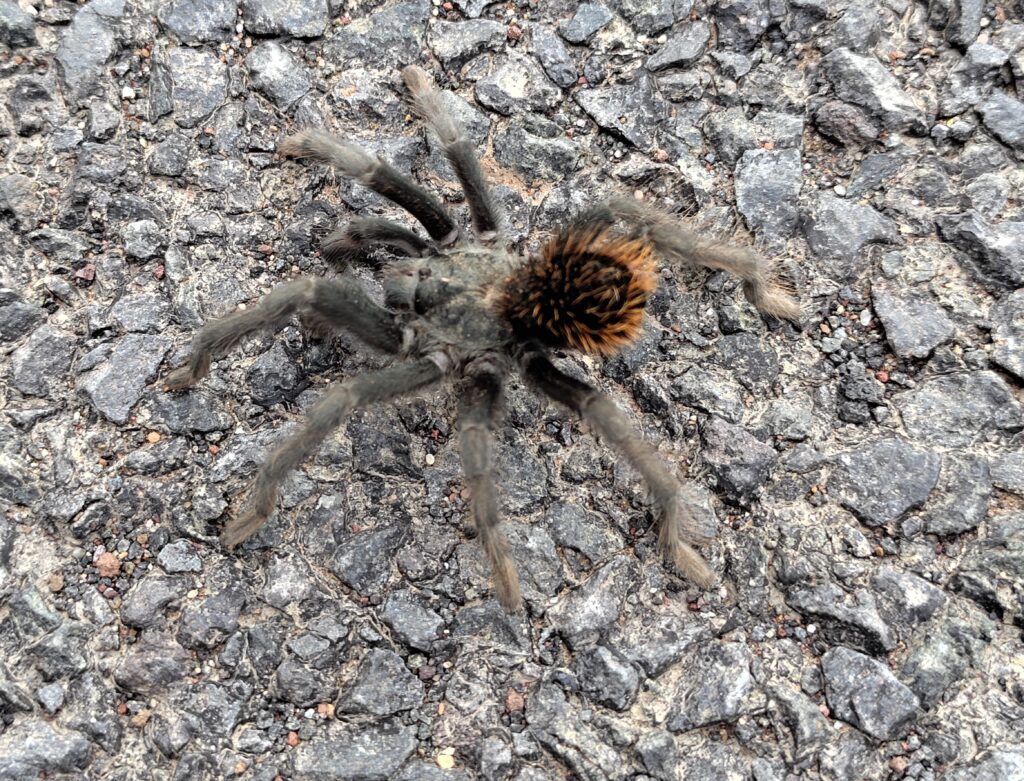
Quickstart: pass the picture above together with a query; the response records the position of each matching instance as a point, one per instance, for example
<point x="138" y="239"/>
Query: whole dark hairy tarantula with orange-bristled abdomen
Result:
<point x="465" y="309"/>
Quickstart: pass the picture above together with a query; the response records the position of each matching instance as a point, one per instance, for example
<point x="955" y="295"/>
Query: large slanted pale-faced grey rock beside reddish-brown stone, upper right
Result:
<point x="866" y="82"/>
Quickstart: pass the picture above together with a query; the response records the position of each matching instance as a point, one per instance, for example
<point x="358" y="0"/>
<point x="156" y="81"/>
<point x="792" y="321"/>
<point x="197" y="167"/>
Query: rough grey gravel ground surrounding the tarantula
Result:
<point x="865" y="478"/>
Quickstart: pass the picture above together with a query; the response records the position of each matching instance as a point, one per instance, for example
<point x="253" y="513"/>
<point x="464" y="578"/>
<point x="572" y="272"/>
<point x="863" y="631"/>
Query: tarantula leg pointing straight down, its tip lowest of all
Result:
<point x="476" y="422"/>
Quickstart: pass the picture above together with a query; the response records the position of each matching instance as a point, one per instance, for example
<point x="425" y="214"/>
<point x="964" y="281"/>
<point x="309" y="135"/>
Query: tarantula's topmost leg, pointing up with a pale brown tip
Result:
<point x="458" y="150"/>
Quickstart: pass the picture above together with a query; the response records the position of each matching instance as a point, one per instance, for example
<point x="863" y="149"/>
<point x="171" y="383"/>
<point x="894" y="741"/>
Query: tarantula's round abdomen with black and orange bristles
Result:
<point x="586" y="291"/>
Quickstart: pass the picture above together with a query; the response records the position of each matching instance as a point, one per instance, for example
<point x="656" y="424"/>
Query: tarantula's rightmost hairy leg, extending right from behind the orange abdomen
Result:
<point x="677" y="243"/>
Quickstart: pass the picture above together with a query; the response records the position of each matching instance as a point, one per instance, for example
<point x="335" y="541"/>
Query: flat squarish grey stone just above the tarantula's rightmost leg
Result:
<point x="767" y="189"/>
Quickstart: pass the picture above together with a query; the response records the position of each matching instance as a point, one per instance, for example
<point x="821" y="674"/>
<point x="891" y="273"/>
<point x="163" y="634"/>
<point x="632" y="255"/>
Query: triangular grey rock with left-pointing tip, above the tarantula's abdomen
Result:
<point x="631" y="111"/>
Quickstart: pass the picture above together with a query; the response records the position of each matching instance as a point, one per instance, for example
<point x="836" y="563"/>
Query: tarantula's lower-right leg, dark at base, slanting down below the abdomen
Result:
<point x="677" y="525"/>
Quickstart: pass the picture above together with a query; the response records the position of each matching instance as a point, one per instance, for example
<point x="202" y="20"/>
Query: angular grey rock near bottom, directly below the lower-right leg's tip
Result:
<point x="717" y="690"/>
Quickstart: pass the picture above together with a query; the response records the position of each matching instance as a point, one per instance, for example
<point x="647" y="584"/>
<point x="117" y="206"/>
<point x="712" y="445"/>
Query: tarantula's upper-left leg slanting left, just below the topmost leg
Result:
<point x="376" y="175"/>
